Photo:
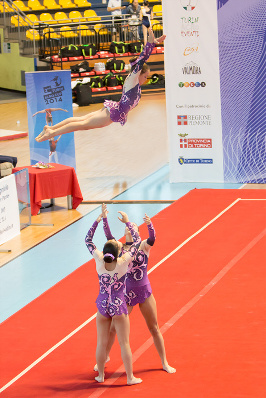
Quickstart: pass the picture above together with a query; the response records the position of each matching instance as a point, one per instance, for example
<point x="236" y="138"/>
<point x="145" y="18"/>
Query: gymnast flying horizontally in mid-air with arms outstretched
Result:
<point x="112" y="111"/>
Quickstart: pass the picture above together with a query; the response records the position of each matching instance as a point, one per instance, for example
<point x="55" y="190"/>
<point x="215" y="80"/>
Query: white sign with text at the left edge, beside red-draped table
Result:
<point x="9" y="211"/>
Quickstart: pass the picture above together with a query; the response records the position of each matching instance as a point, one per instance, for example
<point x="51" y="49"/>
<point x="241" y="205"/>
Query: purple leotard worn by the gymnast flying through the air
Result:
<point x="131" y="90"/>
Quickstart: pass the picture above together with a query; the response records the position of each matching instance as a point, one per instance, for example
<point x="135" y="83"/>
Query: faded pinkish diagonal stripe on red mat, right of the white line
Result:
<point x="180" y="313"/>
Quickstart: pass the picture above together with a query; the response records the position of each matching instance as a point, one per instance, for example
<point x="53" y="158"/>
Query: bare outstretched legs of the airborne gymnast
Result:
<point x="98" y="119"/>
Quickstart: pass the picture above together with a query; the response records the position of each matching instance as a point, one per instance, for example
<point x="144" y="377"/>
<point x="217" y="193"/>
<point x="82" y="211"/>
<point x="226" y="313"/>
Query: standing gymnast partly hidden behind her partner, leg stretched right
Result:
<point x="138" y="288"/>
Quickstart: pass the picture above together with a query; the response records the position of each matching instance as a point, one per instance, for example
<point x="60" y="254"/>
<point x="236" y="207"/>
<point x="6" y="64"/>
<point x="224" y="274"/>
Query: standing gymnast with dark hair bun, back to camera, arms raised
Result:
<point x="111" y="304"/>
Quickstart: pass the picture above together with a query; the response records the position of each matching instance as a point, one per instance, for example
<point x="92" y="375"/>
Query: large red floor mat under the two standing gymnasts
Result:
<point x="200" y="345"/>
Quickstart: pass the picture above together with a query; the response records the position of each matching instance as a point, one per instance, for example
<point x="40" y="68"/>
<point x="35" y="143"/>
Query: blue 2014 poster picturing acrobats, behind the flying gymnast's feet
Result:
<point x="49" y="101"/>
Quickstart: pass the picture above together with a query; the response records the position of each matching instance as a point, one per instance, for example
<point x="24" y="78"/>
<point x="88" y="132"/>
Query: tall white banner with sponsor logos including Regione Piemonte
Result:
<point x="193" y="91"/>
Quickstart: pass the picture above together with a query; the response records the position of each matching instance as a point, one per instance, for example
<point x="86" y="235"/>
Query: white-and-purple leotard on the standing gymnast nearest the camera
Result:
<point x="111" y="299"/>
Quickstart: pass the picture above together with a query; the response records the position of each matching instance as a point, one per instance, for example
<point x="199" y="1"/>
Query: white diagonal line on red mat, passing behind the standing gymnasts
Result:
<point x="94" y="316"/>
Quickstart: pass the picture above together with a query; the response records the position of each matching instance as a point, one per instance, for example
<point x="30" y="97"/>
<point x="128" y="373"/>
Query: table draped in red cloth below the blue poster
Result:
<point x="52" y="183"/>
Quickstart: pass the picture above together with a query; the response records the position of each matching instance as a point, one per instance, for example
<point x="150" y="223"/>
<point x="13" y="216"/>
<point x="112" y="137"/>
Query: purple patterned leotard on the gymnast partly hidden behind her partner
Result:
<point x="138" y="286"/>
